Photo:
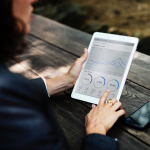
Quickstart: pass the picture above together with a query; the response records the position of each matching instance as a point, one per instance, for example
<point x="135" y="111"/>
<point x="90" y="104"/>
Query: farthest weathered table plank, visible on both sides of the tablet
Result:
<point x="74" y="41"/>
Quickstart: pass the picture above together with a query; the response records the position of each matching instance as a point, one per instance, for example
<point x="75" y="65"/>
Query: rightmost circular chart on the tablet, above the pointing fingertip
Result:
<point x="113" y="85"/>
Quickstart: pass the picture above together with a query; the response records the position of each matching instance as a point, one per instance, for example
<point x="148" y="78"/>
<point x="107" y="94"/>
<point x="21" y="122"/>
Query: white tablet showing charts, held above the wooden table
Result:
<point x="106" y="67"/>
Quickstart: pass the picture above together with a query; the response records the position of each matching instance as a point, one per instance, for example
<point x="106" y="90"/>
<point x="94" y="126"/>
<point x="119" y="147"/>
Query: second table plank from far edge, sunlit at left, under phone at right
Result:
<point x="133" y="96"/>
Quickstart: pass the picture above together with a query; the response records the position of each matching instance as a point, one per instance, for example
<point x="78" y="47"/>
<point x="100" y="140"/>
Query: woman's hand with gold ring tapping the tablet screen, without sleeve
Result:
<point x="103" y="116"/>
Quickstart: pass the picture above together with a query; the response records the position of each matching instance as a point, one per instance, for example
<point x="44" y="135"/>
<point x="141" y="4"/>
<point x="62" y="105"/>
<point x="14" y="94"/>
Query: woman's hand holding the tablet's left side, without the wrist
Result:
<point x="75" y="69"/>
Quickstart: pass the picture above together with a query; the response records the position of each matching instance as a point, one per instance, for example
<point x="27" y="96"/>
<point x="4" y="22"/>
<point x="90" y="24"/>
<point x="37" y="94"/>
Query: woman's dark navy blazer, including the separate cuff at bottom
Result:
<point x="27" y="122"/>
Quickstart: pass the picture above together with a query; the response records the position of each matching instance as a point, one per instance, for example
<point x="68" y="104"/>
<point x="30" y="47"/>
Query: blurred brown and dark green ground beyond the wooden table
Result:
<point x="123" y="17"/>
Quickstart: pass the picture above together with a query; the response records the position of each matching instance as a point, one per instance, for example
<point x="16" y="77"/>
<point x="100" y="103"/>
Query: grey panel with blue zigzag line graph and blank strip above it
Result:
<point x="107" y="61"/>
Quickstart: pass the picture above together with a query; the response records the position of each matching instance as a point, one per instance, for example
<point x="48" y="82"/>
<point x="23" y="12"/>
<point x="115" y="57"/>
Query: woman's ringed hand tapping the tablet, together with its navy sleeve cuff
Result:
<point x="98" y="121"/>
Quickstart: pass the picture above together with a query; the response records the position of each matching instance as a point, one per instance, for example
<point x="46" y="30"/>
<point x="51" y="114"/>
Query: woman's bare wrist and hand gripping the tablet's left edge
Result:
<point x="68" y="80"/>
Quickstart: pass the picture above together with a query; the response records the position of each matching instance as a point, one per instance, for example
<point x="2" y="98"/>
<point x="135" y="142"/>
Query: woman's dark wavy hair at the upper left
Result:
<point x="12" y="41"/>
